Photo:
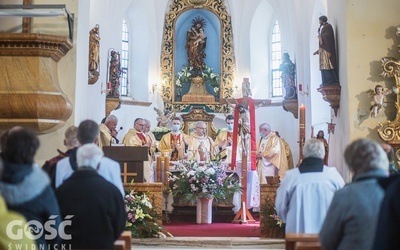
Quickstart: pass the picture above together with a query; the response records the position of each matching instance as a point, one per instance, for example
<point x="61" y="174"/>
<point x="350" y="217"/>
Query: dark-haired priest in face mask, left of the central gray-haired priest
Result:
<point x="175" y="141"/>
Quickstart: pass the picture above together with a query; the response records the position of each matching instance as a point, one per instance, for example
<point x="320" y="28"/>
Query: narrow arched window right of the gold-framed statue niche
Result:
<point x="276" y="56"/>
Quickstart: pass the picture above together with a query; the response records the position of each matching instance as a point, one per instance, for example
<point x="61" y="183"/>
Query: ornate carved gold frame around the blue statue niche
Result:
<point x="226" y="53"/>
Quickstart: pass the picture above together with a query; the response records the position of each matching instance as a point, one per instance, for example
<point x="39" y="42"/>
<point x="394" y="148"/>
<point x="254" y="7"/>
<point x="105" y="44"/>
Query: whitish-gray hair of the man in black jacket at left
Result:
<point x="89" y="155"/>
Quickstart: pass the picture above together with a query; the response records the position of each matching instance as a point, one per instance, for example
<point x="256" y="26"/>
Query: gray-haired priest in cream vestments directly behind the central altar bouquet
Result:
<point x="200" y="143"/>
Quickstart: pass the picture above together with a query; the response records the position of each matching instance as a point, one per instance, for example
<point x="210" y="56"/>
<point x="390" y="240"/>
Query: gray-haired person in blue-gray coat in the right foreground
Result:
<point x="352" y="217"/>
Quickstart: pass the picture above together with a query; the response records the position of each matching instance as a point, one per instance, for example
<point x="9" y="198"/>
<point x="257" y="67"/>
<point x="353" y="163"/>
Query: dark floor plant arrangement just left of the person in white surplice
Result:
<point x="269" y="219"/>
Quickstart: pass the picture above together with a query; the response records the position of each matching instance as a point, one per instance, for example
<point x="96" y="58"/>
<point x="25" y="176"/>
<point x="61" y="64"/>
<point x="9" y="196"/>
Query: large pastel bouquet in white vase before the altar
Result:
<point x="204" y="181"/>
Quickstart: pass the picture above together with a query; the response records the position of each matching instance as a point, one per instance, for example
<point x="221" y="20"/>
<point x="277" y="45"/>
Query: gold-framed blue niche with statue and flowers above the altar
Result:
<point x="197" y="56"/>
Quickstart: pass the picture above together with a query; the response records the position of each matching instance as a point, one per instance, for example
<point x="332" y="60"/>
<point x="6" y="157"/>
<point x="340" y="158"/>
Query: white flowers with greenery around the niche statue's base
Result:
<point x="207" y="74"/>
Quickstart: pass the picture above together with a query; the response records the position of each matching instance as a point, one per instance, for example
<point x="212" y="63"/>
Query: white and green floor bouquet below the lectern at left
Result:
<point x="141" y="216"/>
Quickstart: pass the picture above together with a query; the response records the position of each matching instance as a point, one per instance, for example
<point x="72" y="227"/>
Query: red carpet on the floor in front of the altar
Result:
<point x="185" y="229"/>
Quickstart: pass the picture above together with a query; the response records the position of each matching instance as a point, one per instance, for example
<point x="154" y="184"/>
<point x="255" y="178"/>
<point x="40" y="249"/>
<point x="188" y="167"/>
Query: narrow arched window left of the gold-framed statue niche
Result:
<point x="124" y="59"/>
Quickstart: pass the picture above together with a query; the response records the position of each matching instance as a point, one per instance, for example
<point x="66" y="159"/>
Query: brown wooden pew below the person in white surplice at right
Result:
<point x="302" y="242"/>
